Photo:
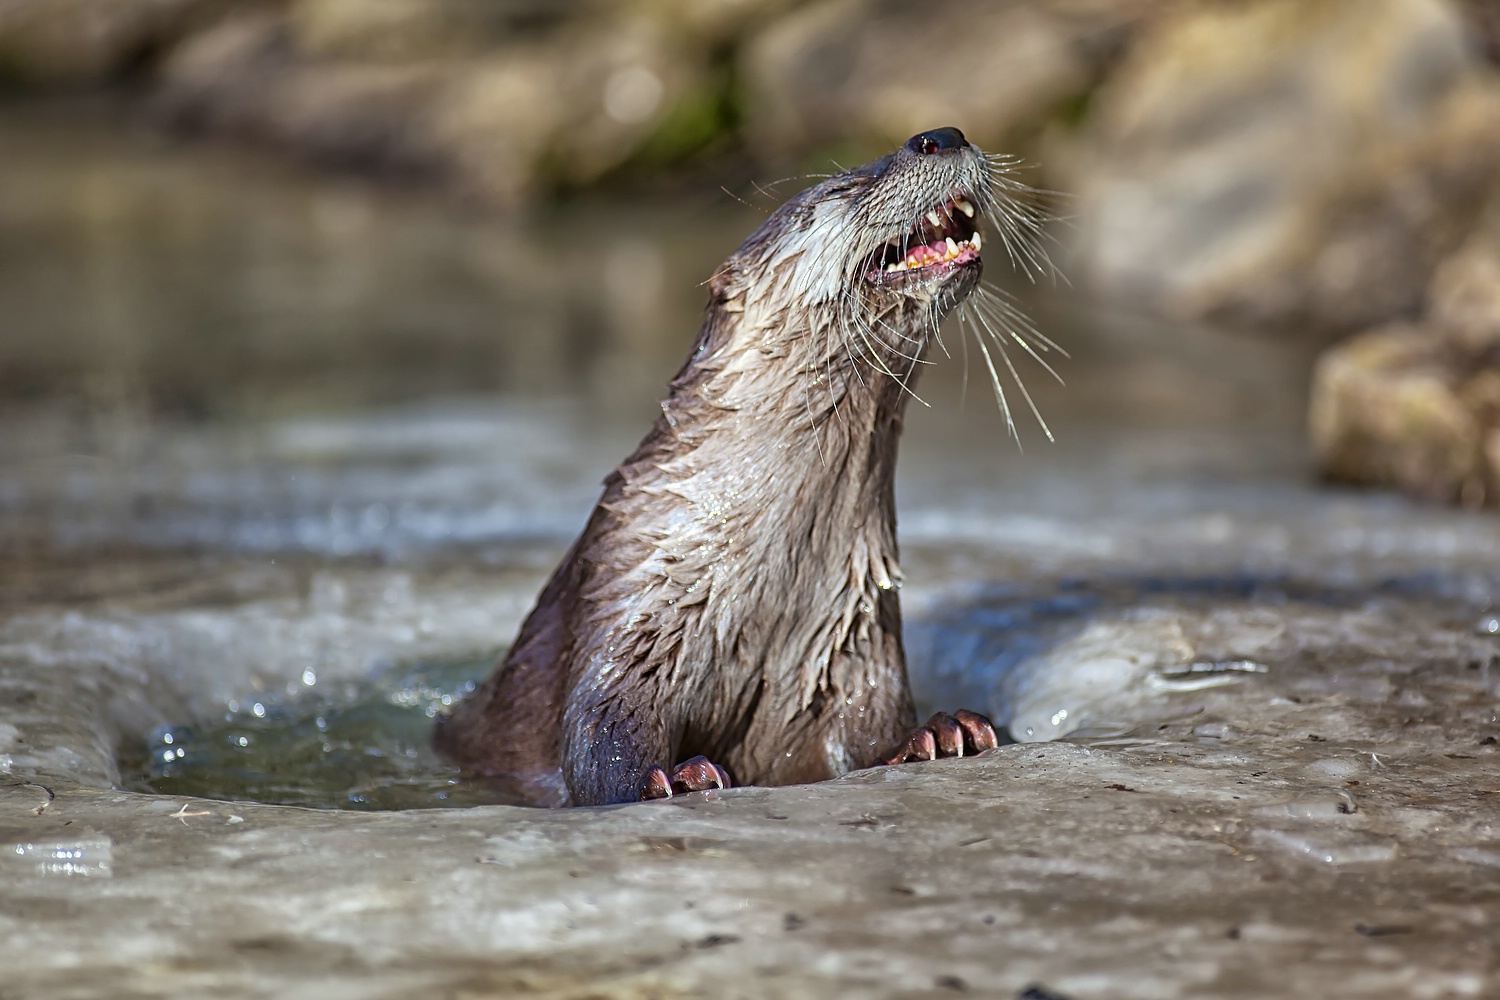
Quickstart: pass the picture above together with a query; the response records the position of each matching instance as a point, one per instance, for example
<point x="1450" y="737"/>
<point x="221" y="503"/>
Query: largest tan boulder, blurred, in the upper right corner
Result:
<point x="1286" y="163"/>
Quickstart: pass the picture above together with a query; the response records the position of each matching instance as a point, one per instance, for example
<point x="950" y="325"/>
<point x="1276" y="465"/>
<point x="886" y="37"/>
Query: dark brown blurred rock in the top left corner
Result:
<point x="89" y="43"/>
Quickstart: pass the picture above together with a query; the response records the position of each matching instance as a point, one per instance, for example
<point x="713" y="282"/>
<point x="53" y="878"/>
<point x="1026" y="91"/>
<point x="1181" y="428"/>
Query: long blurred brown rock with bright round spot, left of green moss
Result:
<point x="562" y="107"/>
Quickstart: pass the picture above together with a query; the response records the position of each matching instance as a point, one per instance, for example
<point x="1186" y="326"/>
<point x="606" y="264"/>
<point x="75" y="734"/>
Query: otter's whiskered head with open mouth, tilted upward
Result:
<point x="883" y="253"/>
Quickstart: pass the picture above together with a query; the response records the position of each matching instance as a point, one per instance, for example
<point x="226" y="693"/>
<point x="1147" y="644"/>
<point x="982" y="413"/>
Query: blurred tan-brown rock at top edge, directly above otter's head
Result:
<point x="884" y="70"/>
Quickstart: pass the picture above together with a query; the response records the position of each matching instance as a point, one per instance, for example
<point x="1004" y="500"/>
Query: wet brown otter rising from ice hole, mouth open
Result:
<point x="731" y="609"/>
